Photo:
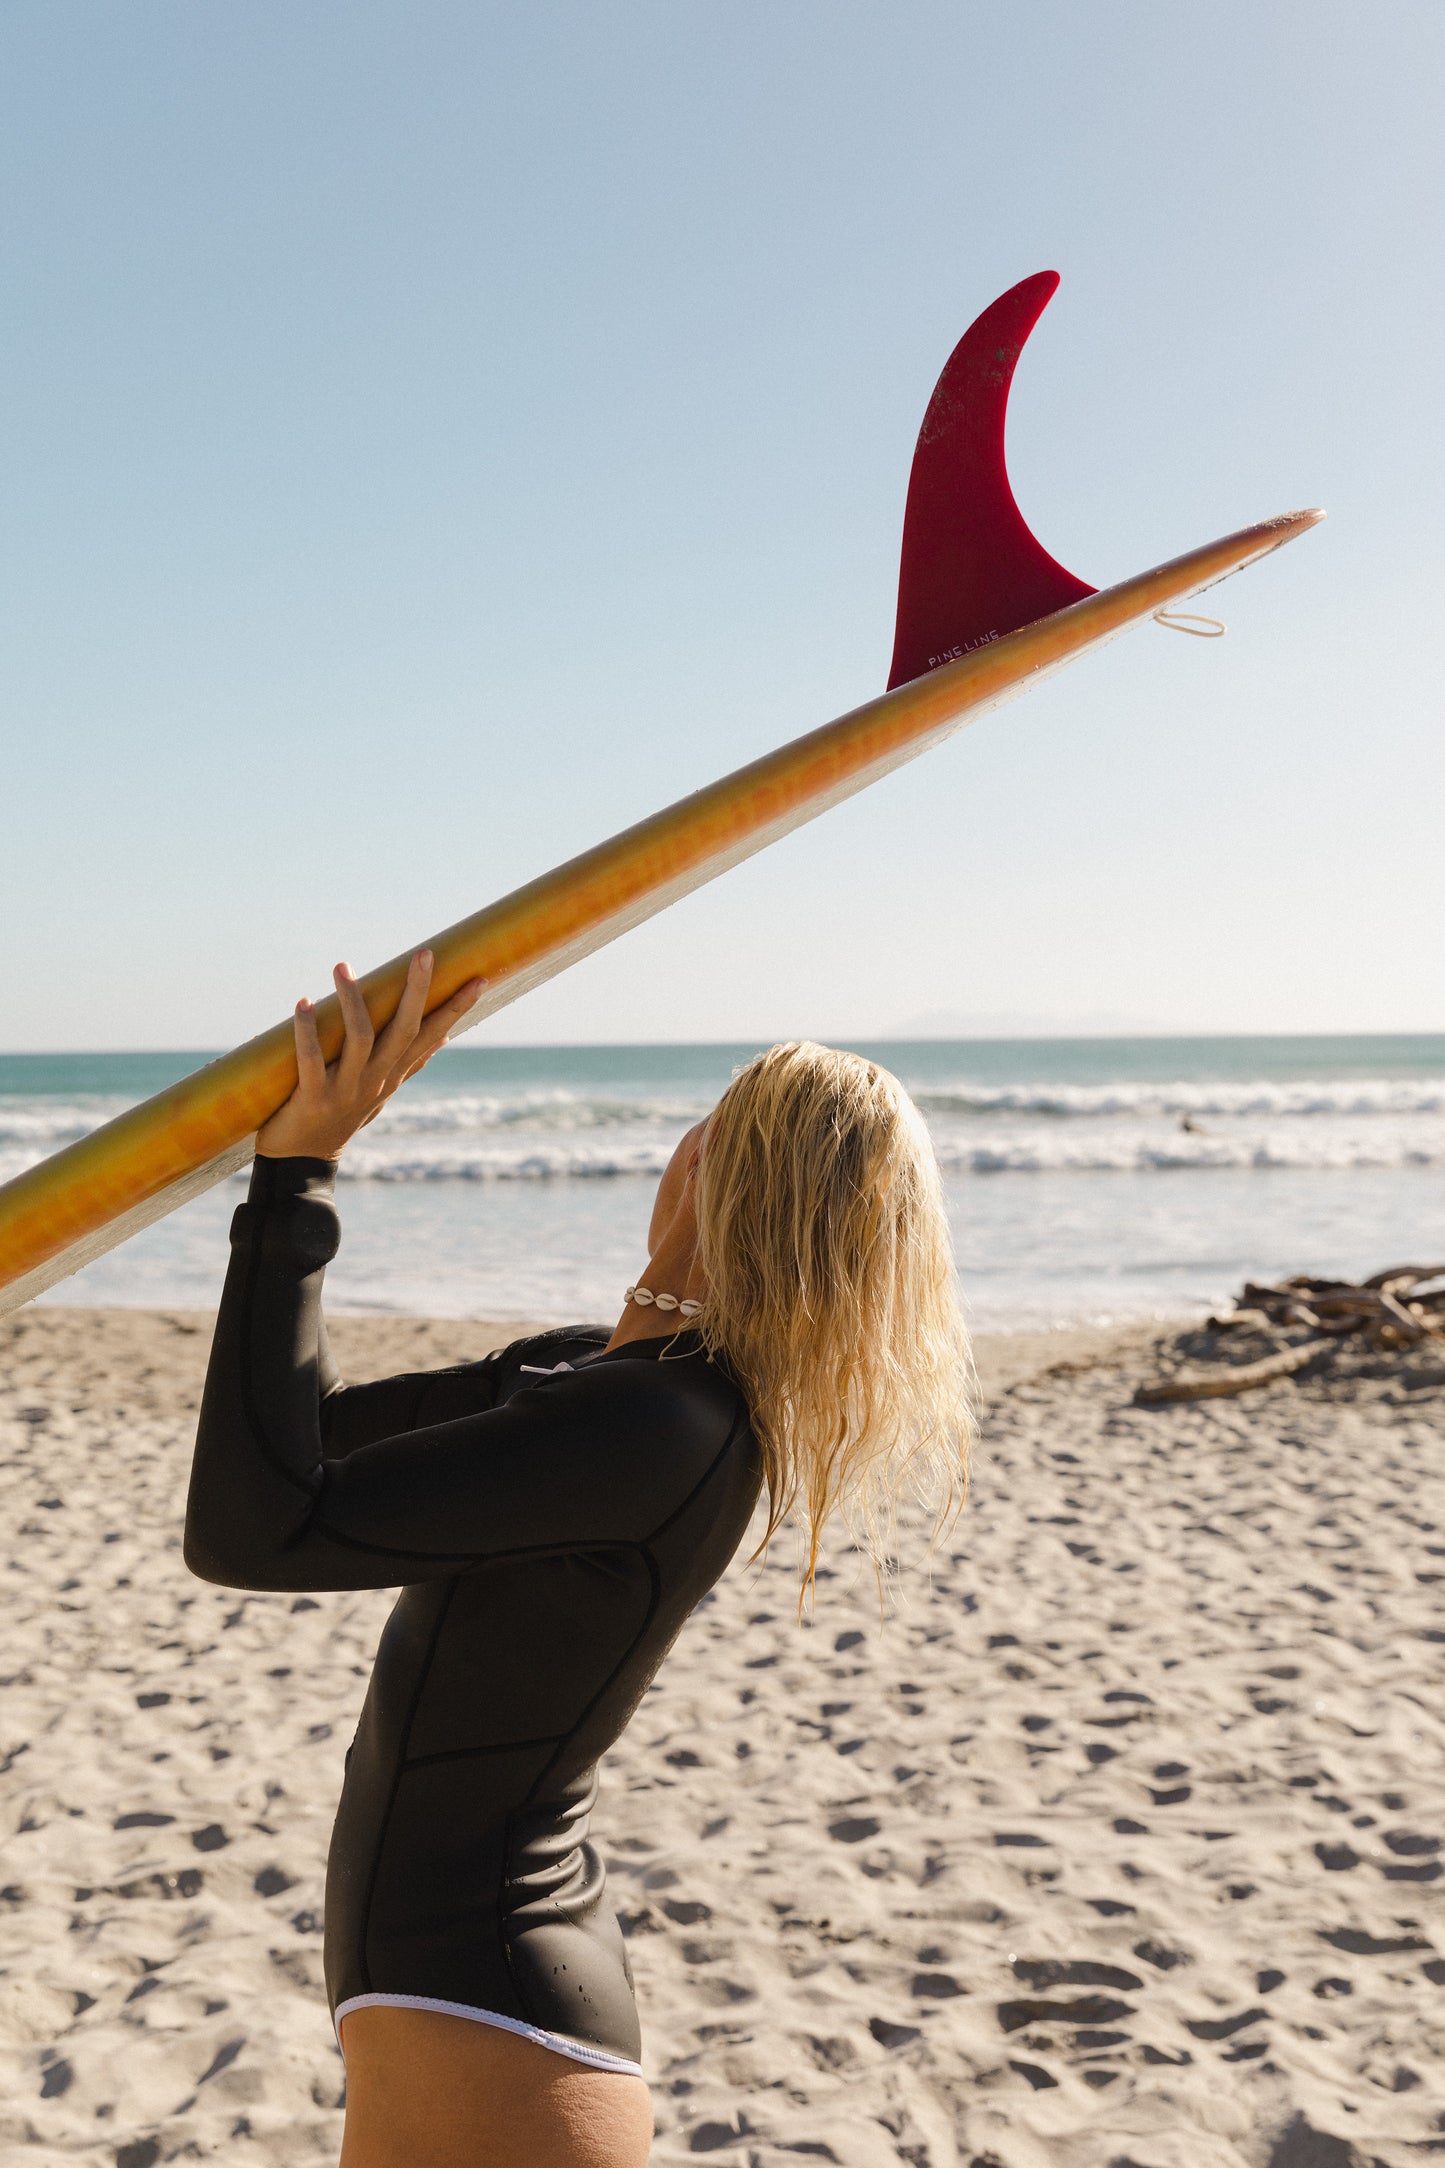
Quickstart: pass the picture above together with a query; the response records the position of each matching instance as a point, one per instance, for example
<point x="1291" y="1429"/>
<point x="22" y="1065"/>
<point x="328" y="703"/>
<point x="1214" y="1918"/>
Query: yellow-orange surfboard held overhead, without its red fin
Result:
<point x="135" y="1170"/>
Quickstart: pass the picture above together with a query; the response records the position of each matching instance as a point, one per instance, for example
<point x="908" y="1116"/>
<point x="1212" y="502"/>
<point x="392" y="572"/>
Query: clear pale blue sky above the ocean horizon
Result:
<point x="439" y="435"/>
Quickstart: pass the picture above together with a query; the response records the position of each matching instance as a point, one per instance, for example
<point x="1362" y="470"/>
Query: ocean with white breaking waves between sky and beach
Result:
<point x="1089" y="1180"/>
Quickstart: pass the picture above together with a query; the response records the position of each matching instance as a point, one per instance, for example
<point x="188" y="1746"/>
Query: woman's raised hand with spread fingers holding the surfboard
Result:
<point x="330" y="1105"/>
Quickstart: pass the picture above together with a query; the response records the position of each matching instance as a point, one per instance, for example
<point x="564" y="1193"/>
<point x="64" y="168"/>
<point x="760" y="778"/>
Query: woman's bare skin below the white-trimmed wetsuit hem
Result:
<point x="428" y="2091"/>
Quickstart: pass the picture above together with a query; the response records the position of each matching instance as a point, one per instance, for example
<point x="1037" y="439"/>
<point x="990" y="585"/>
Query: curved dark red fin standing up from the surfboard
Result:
<point x="972" y="569"/>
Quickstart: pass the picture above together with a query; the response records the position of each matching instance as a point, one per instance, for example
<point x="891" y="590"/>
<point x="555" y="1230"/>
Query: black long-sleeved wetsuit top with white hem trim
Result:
<point x="551" y="1536"/>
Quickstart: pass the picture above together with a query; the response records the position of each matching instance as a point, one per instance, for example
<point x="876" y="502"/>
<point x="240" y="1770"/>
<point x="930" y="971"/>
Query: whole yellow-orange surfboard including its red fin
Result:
<point x="985" y="612"/>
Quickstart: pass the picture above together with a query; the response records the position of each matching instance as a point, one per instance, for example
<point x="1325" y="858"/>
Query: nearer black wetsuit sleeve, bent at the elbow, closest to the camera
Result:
<point x="569" y="1462"/>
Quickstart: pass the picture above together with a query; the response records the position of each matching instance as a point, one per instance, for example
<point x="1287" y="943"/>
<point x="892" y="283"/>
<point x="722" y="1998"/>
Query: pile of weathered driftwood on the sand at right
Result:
<point x="1392" y="1311"/>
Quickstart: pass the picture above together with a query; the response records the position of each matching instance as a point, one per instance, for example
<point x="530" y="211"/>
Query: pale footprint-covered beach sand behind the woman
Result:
<point x="1119" y="1846"/>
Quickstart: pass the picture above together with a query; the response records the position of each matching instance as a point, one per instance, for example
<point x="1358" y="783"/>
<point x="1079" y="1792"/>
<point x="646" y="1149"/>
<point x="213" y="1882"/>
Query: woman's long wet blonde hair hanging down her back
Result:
<point x="831" y="1295"/>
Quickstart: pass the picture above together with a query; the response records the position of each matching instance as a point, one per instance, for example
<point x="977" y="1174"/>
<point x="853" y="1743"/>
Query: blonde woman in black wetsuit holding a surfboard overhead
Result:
<point x="551" y="1517"/>
